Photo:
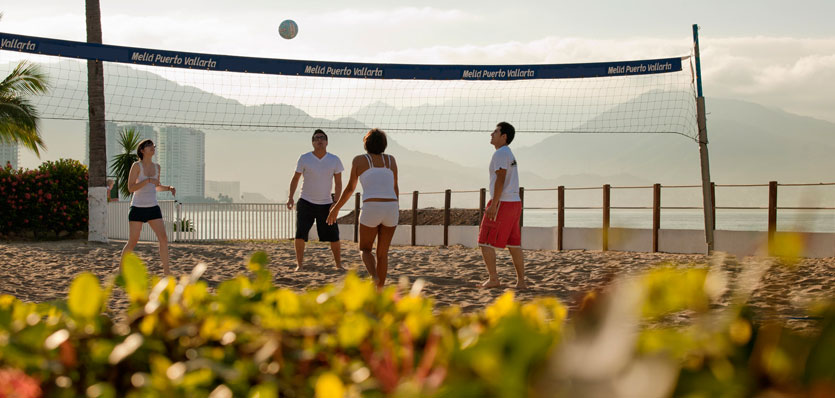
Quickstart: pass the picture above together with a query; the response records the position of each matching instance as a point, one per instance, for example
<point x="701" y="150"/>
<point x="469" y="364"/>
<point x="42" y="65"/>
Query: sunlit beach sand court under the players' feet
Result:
<point x="43" y="271"/>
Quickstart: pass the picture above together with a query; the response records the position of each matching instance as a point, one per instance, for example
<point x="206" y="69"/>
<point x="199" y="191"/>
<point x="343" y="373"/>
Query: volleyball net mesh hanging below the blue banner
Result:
<point x="230" y="101"/>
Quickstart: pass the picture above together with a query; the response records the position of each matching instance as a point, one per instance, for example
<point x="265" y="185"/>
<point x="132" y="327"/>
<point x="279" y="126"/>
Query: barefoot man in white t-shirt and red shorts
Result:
<point x="500" y="224"/>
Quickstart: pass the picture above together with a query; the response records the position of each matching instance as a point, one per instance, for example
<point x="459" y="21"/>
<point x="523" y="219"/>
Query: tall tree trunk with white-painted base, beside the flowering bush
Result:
<point x="97" y="189"/>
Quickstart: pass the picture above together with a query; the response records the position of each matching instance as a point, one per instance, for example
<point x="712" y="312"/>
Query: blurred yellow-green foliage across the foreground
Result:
<point x="252" y="339"/>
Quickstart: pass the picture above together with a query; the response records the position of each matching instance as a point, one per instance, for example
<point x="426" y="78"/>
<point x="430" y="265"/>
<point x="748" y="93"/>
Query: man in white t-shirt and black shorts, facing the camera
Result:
<point x="321" y="171"/>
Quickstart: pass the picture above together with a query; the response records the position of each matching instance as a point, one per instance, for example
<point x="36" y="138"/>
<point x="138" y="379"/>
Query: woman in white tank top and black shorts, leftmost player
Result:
<point x="143" y="183"/>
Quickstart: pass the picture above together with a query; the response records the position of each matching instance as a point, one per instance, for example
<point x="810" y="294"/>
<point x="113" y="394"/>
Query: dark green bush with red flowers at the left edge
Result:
<point x="46" y="201"/>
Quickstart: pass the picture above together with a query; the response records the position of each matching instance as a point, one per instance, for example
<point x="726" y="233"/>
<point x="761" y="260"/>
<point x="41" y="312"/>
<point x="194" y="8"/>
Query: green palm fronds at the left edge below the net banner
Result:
<point x="18" y="117"/>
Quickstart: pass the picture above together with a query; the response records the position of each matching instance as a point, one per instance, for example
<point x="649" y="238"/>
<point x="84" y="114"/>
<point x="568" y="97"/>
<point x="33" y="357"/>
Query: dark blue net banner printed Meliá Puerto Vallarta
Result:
<point x="215" y="62"/>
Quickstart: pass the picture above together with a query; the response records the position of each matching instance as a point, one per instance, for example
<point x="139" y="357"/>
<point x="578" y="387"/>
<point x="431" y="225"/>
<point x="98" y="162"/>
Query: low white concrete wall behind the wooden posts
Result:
<point x="686" y="241"/>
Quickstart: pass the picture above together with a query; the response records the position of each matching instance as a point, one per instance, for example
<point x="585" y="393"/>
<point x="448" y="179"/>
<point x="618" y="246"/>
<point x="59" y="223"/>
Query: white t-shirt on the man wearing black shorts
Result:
<point x="318" y="177"/>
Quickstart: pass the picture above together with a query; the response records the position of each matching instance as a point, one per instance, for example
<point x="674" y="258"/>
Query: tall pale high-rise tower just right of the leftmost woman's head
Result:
<point x="181" y="153"/>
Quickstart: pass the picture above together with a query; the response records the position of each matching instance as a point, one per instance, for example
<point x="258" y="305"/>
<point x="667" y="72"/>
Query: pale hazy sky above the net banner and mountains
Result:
<point x="775" y="53"/>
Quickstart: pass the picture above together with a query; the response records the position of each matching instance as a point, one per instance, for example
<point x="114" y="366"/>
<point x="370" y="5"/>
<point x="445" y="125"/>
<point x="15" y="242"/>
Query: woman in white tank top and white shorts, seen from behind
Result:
<point x="377" y="173"/>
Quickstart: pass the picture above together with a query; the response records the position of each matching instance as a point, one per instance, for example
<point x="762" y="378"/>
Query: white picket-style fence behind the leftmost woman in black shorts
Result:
<point x="209" y="221"/>
